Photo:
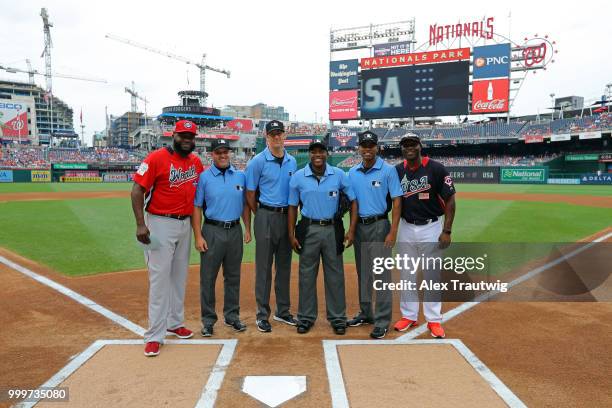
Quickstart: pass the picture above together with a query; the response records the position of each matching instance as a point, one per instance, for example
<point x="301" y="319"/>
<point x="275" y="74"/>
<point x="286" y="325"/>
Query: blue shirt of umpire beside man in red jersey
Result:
<point x="223" y="194"/>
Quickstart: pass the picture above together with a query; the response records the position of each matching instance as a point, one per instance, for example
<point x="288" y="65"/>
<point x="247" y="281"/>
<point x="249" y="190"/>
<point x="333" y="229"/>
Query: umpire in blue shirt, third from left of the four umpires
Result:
<point x="317" y="189"/>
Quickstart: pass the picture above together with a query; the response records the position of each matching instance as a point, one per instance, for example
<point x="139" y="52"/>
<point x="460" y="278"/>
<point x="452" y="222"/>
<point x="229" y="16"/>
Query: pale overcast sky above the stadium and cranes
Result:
<point x="277" y="51"/>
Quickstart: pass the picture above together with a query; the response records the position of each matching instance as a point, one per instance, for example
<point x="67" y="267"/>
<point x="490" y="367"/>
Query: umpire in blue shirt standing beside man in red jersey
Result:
<point x="221" y="193"/>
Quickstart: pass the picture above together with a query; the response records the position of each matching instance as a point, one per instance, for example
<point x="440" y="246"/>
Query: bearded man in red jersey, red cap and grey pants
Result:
<point x="165" y="186"/>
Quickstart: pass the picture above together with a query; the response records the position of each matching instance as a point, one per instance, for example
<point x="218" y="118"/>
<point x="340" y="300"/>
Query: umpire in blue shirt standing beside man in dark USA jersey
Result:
<point x="377" y="188"/>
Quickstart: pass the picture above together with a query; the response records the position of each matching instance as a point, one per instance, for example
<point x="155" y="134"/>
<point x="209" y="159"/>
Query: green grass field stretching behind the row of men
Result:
<point x="81" y="237"/>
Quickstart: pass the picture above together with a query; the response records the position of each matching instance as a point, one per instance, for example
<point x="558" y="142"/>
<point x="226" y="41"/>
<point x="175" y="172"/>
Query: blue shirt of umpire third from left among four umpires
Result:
<point x="319" y="198"/>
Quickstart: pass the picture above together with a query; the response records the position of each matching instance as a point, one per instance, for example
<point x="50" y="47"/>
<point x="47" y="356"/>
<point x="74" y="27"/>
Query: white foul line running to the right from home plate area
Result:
<point x="481" y="298"/>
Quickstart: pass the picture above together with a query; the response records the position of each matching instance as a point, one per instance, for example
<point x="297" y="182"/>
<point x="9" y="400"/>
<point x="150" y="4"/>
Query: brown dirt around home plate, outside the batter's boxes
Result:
<point x="549" y="354"/>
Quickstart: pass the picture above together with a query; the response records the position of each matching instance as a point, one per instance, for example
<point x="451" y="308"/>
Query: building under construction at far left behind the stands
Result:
<point x="40" y="124"/>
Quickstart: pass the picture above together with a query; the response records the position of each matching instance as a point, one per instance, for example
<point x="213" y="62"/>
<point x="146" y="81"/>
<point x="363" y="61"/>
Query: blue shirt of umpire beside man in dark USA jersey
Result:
<point x="372" y="186"/>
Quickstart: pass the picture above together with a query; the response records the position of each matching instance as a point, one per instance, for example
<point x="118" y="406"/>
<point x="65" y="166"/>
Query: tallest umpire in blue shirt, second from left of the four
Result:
<point x="267" y="184"/>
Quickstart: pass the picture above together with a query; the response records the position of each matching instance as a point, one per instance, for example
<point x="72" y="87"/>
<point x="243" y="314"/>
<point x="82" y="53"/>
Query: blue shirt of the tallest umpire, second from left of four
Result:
<point x="271" y="177"/>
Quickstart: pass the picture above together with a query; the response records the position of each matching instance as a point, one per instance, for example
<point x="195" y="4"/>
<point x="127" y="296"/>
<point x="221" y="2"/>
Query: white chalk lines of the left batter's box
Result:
<point x="209" y="391"/>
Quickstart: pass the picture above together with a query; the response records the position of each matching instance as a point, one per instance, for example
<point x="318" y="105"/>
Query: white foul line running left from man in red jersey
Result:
<point x="120" y="320"/>
